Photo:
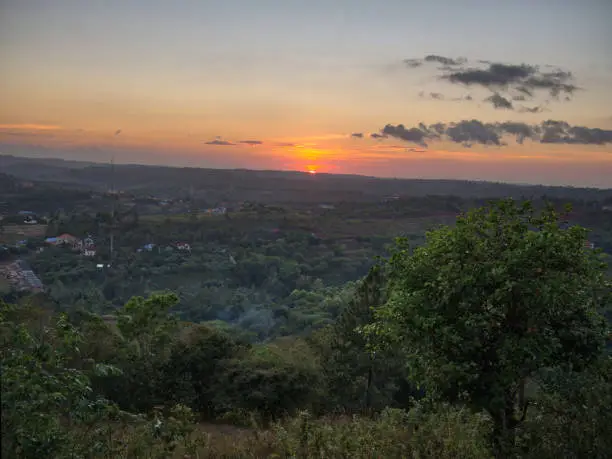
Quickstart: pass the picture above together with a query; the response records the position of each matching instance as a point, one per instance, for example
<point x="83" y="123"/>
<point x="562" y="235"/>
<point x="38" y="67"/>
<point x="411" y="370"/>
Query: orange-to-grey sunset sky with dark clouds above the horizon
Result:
<point x="515" y="91"/>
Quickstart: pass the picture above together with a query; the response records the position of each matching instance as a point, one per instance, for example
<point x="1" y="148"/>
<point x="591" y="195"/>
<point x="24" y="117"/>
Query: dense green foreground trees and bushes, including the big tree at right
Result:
<point x="436" y="353"/>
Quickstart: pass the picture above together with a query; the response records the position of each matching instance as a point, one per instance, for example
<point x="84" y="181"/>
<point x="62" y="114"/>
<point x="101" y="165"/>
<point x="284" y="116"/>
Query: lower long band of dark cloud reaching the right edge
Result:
<point x="469" y="132"/>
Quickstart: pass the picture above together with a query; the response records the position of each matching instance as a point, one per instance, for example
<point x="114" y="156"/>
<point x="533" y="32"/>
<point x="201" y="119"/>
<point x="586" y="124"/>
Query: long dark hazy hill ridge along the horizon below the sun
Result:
<point x="269" y="186"/>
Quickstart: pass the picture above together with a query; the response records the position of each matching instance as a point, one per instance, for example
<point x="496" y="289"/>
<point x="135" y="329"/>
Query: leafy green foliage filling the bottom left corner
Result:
<point x="44" y="397"/>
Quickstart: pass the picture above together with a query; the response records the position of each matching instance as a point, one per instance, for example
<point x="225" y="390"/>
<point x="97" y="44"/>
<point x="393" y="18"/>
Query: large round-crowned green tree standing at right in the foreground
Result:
<point x="484" y="305"/>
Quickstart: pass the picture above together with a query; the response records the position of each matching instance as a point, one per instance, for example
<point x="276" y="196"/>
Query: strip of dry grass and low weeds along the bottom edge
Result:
<point x="449" y="433"/>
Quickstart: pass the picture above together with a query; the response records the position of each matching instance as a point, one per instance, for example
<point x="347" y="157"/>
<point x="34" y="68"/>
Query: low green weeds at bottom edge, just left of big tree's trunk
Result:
<point x="447" y="433"/>
